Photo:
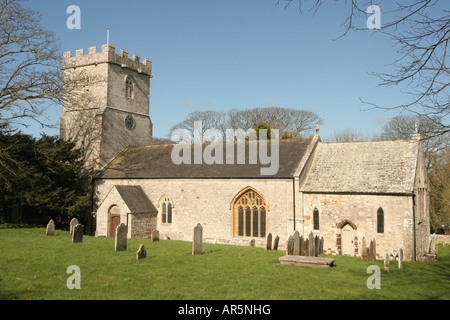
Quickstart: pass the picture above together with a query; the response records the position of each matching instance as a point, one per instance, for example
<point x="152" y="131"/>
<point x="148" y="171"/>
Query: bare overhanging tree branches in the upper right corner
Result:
<point x="420" y="29"/>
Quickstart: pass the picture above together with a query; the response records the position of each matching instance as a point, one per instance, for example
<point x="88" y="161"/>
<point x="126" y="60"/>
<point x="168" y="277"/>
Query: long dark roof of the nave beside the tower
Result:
<point x="155" y="162"/>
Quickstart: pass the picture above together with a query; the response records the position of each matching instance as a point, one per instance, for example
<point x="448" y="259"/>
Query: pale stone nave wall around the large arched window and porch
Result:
<point x="205" y="201"/>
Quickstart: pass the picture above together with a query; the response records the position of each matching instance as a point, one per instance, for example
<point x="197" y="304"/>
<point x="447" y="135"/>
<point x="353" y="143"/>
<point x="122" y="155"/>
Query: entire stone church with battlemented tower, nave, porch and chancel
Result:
<point x="341" y="191"/>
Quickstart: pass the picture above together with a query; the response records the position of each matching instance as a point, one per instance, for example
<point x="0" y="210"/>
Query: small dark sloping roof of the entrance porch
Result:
<point x="136" y="199"/>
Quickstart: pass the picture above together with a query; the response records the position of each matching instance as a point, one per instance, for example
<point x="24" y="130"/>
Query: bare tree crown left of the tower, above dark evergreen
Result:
<point x="29" y="64"/>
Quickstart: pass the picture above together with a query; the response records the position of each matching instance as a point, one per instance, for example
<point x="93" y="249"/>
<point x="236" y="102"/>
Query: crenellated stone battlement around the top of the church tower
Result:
<point x="107" y="55"/>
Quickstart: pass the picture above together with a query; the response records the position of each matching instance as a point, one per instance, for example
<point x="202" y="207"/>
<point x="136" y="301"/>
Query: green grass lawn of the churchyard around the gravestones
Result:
<point x="33" y="266"/>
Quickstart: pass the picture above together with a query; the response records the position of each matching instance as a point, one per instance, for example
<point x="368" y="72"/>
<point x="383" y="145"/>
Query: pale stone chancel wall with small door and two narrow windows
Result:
<point x="360" y="211"/>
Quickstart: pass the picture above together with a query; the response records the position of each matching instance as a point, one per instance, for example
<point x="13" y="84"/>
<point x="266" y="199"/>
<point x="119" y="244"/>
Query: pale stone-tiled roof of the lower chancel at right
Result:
<point x="363" y="167"/>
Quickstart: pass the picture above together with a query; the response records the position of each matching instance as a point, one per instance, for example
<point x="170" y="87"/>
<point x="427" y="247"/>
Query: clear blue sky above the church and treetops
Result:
<point x="219" y="55"/>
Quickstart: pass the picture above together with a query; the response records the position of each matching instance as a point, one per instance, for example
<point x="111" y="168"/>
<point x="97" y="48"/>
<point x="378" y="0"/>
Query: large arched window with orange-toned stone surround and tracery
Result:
<point x="249" y="218"/>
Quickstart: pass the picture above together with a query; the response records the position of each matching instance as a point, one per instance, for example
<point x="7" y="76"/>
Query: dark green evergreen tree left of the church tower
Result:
<point x="41" y="176"/>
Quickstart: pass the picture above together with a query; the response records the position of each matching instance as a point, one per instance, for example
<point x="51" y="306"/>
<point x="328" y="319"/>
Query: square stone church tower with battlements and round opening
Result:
<point x="106" y="103"/>
